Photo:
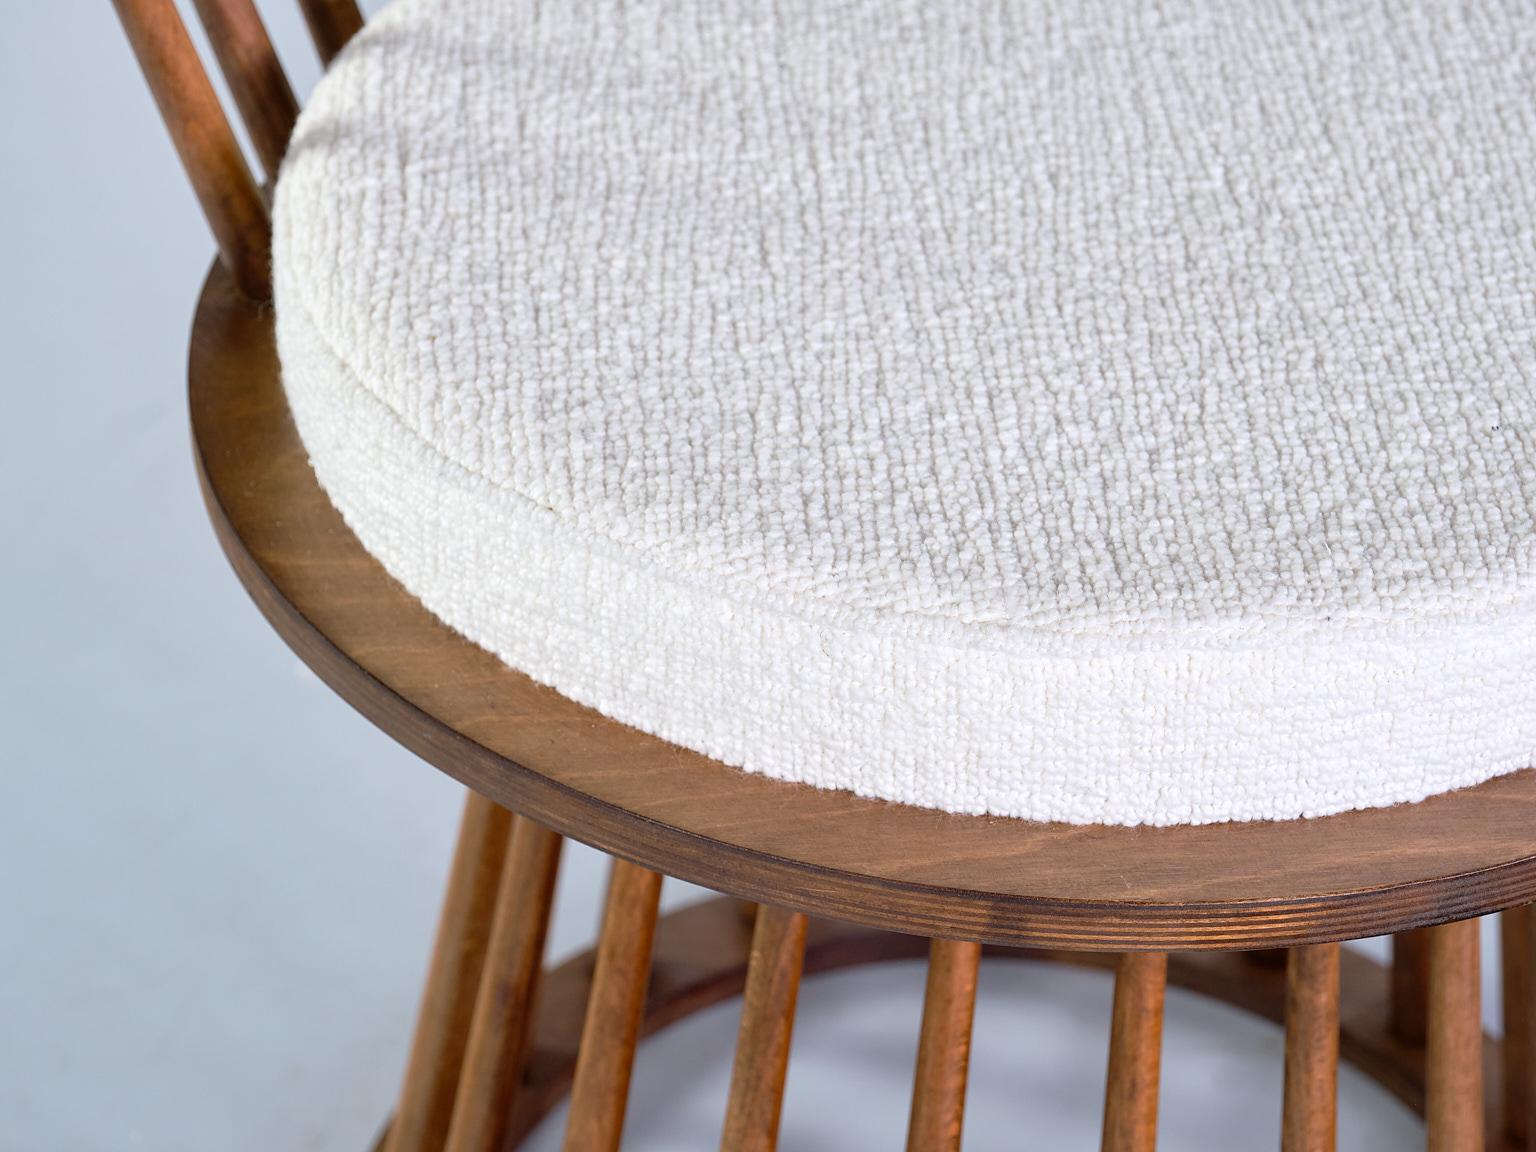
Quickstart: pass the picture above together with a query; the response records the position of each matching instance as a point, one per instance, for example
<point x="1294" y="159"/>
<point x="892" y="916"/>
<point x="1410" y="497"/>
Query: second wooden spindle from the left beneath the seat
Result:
<point x="494" y="1058"/>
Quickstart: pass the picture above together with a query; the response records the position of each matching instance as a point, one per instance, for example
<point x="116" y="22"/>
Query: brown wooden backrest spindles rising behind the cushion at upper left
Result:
<point x="233" y="200"/>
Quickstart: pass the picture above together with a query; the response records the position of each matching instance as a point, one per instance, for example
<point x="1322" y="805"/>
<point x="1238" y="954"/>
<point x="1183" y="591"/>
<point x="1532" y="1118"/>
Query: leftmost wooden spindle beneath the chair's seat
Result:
<point x="448" y="1007"/>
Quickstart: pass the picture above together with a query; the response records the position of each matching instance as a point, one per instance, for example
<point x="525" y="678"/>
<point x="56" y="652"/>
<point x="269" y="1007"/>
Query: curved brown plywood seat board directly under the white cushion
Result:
<point x="821" y="852"/>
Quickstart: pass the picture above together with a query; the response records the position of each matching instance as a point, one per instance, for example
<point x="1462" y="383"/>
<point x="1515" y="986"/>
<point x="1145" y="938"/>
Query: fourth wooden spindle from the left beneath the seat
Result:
<point x="763" y="1047"/>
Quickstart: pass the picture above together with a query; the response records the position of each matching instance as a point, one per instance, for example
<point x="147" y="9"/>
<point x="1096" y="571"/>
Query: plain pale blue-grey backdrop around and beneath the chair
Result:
<point x="217" y="884"/>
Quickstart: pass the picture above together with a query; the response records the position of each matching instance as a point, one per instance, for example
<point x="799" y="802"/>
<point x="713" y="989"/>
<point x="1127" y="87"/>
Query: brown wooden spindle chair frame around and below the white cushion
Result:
<point x="1251" y="915"/>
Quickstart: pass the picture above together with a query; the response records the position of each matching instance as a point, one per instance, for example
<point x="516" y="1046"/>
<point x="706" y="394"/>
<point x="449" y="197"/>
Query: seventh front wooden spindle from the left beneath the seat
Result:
<point x="1313" y="1050"/>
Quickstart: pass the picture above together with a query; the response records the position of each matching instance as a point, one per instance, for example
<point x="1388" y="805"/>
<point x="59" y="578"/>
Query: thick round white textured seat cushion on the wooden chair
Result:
<point x="1085" y="412"/>
